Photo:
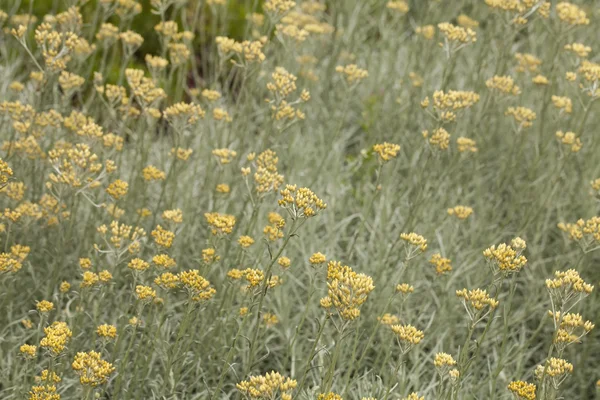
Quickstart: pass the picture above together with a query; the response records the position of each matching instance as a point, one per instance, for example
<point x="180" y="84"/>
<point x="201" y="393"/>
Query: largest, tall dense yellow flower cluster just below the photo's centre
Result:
<point x="347" y="290"/>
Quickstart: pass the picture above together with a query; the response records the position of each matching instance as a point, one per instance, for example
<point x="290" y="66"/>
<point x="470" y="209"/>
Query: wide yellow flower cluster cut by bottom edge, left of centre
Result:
<point x="268" y="386"/>
